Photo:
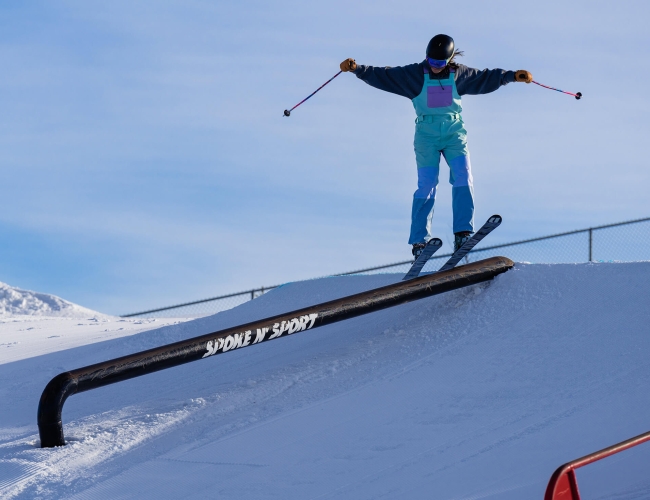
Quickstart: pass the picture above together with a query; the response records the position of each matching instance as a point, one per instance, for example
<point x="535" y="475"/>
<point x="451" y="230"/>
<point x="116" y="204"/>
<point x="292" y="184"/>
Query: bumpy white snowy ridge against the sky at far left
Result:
<point x="18" y="302"/>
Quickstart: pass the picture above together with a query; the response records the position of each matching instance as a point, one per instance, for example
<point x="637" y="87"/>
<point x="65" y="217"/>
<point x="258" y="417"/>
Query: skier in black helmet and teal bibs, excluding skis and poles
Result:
<point x="435" y="86"/>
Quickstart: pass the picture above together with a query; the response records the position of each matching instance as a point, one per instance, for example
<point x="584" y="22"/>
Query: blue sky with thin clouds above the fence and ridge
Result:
<point x="144" y="159"/>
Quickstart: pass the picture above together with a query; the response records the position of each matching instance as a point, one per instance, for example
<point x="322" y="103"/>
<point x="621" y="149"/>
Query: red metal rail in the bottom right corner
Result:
<point x="563" y="484"/>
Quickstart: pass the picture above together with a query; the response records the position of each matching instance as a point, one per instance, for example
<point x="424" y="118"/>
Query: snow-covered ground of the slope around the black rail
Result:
<point x="475" y="394"/>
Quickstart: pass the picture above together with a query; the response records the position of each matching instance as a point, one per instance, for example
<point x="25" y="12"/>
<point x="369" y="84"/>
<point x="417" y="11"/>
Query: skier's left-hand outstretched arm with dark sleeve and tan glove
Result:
<point x="406" y="81"/>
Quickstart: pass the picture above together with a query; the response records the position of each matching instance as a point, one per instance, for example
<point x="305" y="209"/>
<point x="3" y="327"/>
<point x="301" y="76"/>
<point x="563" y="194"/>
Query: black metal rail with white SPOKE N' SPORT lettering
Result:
<point x="50" y="426"/>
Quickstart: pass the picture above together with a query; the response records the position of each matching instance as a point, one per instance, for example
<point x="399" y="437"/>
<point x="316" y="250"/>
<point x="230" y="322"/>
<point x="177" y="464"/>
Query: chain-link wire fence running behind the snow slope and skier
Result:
<point x="608" y="243"/>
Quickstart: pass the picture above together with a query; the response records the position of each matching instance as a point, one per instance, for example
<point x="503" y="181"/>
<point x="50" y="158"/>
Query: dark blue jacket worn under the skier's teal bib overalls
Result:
<point x="408" y="80"/>
